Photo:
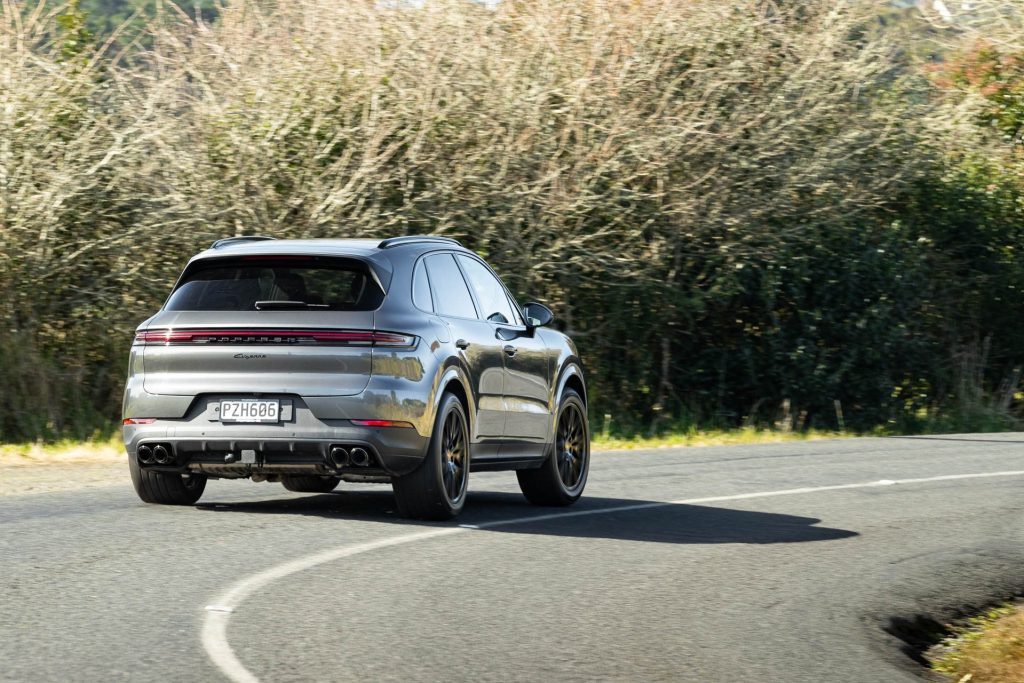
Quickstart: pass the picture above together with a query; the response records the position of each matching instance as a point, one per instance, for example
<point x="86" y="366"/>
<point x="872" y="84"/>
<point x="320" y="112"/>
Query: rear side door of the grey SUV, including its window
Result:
<point x="476" y="343"/>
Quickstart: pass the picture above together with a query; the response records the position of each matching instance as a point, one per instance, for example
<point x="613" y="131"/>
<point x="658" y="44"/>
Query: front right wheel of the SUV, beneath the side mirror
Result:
<point x="561" y="481"/>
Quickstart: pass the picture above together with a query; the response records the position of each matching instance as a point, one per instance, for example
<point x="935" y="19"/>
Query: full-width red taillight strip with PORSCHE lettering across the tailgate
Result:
<point x="360" y="337"/>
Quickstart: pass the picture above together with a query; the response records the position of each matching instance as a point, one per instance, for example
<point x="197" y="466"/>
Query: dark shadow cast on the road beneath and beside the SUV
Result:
<point x="620" y="520"/>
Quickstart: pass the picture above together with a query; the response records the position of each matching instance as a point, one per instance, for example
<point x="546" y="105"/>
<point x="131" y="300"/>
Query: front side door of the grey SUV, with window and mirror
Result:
<point x="527" y="383"/>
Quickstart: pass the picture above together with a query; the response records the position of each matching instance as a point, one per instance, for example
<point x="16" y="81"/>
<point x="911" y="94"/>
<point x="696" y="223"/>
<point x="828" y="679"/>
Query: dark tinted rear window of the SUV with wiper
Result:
<point x="277" y="284"/>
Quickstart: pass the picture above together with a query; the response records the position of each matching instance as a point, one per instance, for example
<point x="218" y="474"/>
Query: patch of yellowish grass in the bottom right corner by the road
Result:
<point x="989" y="649"/>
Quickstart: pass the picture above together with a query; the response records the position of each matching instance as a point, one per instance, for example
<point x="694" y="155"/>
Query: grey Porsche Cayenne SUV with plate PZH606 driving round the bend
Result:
<point x="314" y="362"/>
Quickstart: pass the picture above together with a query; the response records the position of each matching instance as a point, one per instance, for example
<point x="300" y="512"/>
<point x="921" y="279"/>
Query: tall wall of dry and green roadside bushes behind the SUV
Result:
<point x="746" y="214"/>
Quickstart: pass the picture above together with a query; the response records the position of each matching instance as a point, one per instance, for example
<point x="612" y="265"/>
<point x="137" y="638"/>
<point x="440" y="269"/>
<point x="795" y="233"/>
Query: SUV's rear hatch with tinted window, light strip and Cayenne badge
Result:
<point x="255" y="325"/>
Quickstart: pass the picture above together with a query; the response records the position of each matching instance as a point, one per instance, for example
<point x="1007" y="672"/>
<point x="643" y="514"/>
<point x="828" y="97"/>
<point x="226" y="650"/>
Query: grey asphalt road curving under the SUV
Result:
<point x="807" y="585"/>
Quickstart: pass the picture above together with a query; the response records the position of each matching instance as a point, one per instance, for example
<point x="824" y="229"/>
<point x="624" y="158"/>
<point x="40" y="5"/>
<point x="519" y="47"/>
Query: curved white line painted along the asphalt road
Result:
<point x="215" y="634"/>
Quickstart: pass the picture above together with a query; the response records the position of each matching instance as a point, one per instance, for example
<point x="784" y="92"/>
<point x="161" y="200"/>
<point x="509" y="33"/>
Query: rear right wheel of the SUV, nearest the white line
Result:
<point x="437" y="490"/>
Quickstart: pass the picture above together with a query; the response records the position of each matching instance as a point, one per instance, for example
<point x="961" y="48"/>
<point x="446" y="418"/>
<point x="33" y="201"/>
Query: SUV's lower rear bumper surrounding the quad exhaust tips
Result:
<point x="300" y="444"/>
